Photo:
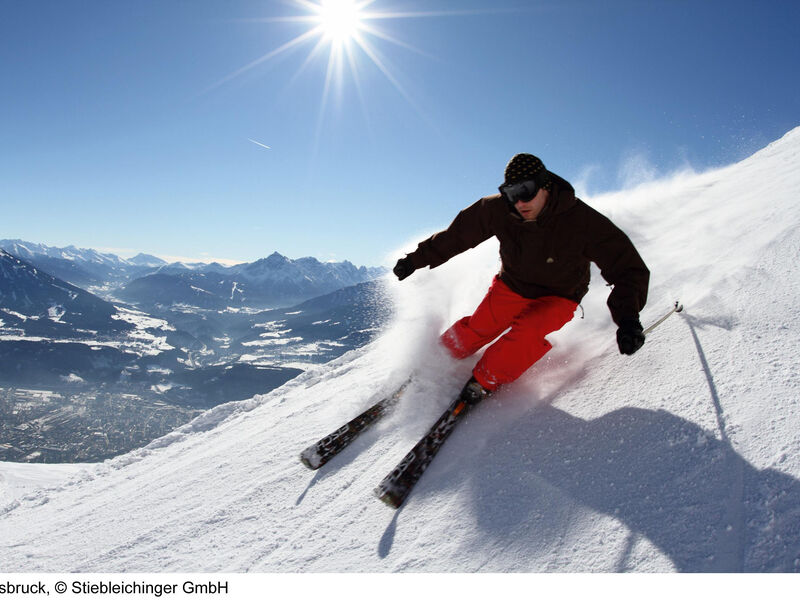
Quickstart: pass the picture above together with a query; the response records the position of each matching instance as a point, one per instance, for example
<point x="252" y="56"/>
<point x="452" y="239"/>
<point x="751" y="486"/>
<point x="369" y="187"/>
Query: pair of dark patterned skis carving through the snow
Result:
<point x="397" y="485"/>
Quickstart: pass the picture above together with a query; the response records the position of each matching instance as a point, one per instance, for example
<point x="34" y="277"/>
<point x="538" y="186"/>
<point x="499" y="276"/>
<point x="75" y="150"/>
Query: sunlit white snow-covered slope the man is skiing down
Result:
<point x="683" y="457"/>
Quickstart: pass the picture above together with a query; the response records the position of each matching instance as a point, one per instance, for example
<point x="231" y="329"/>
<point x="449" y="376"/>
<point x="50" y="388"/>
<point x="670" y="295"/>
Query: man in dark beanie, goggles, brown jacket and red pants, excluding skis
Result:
<point x="547" y="238"/>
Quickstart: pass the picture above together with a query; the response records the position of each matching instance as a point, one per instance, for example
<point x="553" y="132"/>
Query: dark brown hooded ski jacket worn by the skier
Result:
<point x="549" y="256"/>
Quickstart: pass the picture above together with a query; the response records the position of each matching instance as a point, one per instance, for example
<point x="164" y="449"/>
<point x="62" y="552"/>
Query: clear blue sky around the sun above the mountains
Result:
<point x="131" y="125"/>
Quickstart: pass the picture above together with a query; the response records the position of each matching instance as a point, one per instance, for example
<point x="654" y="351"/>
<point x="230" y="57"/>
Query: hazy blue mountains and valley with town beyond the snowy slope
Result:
<point x="150" y="342"/>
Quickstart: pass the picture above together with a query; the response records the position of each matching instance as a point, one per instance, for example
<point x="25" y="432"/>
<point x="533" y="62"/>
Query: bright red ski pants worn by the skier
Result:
<point x="521" y="346"/>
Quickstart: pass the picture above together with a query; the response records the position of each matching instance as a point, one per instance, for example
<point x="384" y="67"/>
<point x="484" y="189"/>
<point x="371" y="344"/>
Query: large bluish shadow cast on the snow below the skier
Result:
<point x="667" y="479"/>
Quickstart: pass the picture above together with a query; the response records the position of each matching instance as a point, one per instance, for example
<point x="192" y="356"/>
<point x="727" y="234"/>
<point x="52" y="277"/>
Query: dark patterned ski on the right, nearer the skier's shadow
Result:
<point x="397" y="485"/>
